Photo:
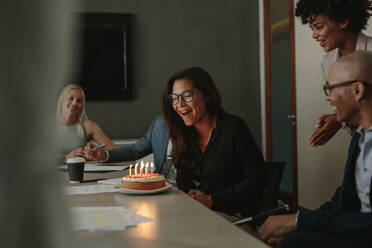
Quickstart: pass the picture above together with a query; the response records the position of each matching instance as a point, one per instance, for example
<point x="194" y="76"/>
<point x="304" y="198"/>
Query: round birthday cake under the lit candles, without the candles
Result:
<point x="143" y="182"/>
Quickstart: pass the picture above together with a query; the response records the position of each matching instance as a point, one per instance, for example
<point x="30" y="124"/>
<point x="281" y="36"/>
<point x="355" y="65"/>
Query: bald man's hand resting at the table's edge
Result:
<point x="275" y="227"/>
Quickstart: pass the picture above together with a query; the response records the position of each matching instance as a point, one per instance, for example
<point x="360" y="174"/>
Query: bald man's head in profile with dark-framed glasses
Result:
<point x="351" y="78"/>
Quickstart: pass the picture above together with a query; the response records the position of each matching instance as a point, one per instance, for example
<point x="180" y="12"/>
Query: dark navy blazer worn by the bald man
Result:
<point x="341" y="215"/>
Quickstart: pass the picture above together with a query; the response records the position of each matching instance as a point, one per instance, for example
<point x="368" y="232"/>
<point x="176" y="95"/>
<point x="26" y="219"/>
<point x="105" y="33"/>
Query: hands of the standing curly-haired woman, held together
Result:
<point x="326" y="127"/>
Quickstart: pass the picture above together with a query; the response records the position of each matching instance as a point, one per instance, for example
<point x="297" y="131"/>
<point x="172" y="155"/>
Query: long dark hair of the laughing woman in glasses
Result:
<point x="185" y="139"/>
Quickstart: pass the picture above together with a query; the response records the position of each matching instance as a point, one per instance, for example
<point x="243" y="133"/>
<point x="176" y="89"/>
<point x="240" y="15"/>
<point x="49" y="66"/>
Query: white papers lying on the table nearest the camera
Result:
<point x="104" y="218"/>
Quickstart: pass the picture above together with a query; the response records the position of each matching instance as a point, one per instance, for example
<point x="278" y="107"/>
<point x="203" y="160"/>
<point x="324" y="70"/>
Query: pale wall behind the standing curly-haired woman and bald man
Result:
<point x="320" y="169"/>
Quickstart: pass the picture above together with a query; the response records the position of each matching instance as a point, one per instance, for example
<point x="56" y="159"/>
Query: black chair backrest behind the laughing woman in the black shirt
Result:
<point x="270" y="198"/>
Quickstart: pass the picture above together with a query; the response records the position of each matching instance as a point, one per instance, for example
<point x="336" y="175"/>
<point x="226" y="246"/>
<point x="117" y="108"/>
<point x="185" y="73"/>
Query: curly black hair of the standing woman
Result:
<point x="356" y="12"/>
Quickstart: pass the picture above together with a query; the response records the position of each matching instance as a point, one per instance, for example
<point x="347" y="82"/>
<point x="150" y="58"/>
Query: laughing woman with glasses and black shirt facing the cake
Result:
<point x="218" y="162"/>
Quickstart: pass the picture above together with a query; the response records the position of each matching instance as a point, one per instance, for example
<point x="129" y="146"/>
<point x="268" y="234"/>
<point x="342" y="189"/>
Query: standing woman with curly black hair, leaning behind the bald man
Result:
<point x="337" y="25"/>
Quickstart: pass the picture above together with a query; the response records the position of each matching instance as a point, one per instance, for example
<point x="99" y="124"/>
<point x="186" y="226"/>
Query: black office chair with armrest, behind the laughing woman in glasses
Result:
<point x="270" y="204"/>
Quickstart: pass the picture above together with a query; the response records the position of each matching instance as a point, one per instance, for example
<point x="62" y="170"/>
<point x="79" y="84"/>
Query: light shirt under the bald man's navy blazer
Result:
<point x="363" y="169"/>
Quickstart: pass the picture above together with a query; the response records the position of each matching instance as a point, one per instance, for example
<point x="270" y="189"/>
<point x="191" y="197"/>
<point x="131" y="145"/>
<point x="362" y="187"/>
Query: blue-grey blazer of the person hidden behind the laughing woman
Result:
<point x="155" y="141"/>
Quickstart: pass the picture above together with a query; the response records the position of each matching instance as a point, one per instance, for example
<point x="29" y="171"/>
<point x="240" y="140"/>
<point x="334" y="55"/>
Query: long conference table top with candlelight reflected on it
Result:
<point x="179" y="221"/>
